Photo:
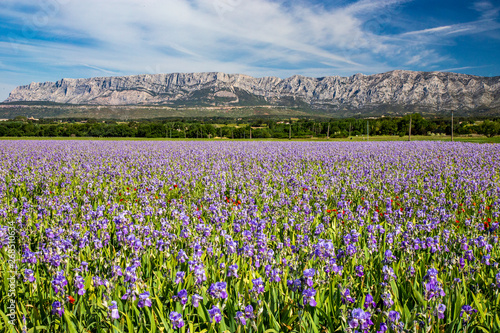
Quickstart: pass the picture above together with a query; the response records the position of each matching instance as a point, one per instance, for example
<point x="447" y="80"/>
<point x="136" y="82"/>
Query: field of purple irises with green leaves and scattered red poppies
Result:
<point x="213" y="236"/>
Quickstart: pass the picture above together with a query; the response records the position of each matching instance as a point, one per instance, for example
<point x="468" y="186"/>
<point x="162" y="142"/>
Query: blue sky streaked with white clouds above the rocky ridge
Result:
<point x="46" y="40"/>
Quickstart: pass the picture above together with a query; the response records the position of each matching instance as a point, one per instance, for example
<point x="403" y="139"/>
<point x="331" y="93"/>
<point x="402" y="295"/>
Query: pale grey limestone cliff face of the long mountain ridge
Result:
<point x="435" y="90"/>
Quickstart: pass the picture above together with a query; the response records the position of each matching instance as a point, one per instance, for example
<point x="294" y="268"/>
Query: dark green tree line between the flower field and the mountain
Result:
<point x="246" y="129"/>
